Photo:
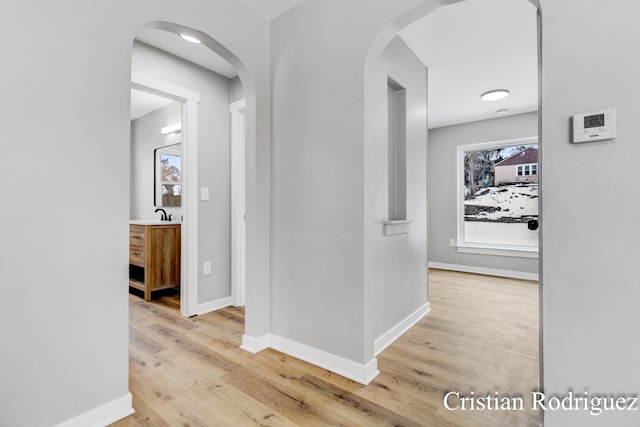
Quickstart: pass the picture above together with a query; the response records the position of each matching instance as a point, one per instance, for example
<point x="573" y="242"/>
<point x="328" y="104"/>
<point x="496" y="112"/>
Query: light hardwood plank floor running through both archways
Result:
<point x="481" y="335"/>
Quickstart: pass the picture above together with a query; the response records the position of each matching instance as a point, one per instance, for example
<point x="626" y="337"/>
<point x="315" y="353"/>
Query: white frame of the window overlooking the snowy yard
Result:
<point x="486" y="248"/>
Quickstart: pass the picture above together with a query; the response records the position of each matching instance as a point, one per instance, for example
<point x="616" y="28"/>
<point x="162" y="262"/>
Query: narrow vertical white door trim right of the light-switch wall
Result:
<point x="238" y="203"/>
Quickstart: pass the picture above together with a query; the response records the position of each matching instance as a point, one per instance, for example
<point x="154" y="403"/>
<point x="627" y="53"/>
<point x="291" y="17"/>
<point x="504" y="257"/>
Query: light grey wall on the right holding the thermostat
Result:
<point x="590" y="207"/>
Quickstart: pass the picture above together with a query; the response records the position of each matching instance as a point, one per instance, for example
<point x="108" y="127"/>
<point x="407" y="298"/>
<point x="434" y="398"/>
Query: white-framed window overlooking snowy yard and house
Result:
<point x="498" y="197"/>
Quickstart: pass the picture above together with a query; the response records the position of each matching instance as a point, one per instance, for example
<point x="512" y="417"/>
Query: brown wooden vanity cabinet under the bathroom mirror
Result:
<point x="154" y="257"/>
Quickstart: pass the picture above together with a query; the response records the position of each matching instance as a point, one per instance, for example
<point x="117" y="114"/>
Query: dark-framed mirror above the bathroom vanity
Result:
<point x="168" y="176"/>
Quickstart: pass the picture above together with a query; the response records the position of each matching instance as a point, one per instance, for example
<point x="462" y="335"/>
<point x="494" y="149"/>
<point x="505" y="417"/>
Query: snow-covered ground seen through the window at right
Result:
<point x="493" y="215"/>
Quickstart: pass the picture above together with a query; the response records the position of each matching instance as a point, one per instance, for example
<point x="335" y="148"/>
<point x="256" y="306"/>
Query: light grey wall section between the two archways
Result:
<point x="317" y="180"/>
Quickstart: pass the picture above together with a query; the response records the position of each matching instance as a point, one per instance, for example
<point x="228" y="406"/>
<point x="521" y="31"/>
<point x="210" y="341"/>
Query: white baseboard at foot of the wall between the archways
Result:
<point x="359" y="373"/>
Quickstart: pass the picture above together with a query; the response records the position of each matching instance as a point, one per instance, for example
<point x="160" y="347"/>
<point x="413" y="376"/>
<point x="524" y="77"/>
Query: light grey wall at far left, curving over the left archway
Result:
<point x="63" y="255"/>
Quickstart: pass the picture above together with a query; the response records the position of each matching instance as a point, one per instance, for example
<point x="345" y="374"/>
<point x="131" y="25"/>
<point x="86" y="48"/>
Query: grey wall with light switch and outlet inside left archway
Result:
<point x="214" y="160"/>
